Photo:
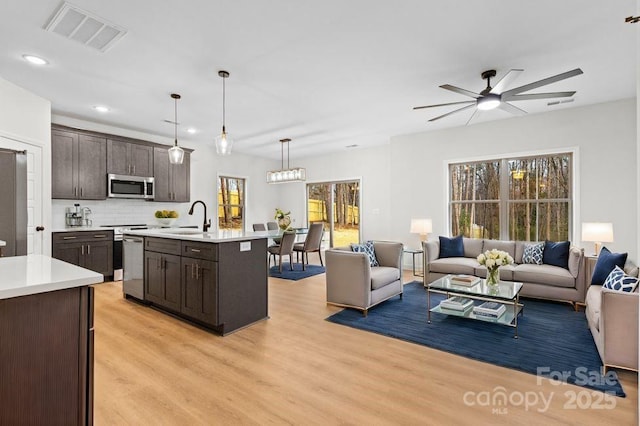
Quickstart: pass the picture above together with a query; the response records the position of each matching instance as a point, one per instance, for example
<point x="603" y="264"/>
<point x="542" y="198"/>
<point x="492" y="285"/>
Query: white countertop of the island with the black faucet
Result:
<point x="191" y="234"/>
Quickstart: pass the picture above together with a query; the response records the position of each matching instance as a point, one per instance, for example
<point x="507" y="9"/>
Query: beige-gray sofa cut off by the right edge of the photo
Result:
<point x="613" y="320"/>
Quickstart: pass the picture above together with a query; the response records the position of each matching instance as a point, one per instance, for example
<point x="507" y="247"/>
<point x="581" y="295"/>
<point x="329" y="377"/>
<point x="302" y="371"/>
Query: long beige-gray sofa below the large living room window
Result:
<point x="540" y="281"/>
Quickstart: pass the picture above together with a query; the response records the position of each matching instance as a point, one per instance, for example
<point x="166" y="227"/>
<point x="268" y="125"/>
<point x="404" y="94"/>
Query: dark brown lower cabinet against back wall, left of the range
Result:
<point x="88" y="249"/>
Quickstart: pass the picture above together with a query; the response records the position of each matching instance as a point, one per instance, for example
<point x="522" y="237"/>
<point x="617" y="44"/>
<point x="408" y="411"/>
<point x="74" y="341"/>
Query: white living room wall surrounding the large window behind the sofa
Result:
<point x="604" y="136"/>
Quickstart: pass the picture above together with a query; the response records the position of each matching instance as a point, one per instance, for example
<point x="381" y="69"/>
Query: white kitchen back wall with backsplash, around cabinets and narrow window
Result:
<point x="205" y="167"/>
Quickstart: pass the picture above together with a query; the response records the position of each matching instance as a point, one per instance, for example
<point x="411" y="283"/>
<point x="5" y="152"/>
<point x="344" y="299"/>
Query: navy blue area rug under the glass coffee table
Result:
<point x="553" y="340"/>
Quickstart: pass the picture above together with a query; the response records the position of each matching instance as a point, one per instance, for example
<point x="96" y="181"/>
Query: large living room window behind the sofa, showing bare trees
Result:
<point x="527" y="198"/>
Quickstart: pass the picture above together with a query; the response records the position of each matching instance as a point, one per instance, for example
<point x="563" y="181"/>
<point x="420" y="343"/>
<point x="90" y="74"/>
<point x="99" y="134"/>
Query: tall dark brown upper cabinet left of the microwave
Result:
<point x="78" y="166"/>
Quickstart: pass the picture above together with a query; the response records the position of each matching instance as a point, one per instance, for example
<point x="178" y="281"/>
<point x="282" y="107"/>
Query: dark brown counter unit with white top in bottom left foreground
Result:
<point x="46" y="335"/>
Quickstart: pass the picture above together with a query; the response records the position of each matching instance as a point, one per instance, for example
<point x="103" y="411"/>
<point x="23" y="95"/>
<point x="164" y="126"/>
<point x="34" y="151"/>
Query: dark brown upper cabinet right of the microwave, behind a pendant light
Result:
<point x="172" y="181"/>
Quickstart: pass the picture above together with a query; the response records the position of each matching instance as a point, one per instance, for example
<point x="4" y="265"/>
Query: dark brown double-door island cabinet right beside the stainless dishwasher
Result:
<point x="162" y="280"/>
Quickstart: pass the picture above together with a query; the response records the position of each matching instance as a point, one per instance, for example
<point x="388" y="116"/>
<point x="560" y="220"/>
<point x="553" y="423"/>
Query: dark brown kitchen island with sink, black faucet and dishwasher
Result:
<point x="217" y="280"/>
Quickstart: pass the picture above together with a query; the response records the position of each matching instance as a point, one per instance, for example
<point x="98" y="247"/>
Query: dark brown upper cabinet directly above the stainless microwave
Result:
<point x="128" y="158"/>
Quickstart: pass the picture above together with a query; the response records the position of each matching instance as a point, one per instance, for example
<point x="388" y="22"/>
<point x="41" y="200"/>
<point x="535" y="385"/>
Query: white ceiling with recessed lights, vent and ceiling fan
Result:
<point x="326" y="74"/>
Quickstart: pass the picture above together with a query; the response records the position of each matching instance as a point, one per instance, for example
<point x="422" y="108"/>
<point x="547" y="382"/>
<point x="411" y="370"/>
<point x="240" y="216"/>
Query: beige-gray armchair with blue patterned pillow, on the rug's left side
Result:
<point x="353" y="283"/>
